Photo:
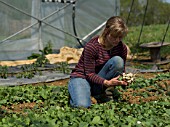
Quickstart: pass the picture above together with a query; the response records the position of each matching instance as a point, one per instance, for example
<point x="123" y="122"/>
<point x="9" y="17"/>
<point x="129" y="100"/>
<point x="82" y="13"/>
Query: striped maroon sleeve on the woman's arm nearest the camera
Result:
<point x="90" y="55"/>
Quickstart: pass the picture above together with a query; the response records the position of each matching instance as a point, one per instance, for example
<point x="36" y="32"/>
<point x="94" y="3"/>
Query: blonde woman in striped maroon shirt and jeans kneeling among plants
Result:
<point x="100" y="64"/>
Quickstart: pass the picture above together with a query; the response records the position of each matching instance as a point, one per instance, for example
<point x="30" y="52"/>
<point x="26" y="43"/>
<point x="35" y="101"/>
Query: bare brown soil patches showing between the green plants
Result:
<point x="128" y="96"/>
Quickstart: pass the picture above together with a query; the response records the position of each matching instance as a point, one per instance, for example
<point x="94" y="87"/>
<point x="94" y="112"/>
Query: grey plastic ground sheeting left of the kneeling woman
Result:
<point x="48" y="74"/>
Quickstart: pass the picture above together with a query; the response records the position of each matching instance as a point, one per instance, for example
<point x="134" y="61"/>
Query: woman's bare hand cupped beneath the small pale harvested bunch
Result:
<point x="114" y="82"/>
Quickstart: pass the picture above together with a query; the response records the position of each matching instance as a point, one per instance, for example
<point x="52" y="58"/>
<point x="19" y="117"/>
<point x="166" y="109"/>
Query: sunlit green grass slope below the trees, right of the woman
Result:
<point x="151" y="33"/>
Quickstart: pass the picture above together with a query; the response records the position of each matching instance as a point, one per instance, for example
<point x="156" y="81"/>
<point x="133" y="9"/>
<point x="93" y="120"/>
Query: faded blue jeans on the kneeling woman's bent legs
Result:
<point x="80" y="89"/>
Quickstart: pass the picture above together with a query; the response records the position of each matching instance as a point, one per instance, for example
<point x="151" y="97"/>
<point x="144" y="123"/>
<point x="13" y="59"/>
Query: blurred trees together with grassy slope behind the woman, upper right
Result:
<point x="155" y="24"/>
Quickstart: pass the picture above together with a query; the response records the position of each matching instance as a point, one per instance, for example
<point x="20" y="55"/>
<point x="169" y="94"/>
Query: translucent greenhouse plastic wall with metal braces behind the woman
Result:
<point x="26" y="26"/>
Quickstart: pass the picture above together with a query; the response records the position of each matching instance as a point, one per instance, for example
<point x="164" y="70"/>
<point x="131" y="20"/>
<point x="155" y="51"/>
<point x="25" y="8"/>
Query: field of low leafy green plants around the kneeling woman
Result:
<point x="47" y="106"/>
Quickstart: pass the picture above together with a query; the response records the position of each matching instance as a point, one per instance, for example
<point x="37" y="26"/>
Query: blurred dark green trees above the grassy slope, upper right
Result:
<point x="157" y="12"/>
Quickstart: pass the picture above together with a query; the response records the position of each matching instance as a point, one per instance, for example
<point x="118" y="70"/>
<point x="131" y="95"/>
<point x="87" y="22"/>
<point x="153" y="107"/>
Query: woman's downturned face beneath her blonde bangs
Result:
<point x="113" y="41"/>
